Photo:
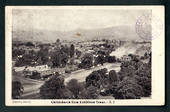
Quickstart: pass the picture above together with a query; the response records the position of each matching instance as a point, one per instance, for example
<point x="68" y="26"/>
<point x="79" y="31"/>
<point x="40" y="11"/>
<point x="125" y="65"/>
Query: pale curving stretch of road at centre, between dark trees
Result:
<point x="82" y="74"/>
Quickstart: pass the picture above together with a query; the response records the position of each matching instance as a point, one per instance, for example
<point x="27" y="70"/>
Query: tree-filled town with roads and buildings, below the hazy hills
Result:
<point x="89" y="69"/>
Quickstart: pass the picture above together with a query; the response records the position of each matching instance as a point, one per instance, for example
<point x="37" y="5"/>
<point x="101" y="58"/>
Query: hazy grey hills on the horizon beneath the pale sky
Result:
<point x="117" y="32"/>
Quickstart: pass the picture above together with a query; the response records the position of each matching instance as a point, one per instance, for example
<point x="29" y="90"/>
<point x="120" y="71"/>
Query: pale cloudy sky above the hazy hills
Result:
<point x="67" y="19"/>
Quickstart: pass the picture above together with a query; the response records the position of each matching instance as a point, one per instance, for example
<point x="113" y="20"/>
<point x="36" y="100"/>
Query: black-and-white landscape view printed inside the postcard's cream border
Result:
<point x="80" y="54"/>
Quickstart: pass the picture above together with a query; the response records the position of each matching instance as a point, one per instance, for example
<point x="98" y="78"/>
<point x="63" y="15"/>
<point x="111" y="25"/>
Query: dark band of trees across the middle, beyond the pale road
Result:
<point x="60" y="55"/>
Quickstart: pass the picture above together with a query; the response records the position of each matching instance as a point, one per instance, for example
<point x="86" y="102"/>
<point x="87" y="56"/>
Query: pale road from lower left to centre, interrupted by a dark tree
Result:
<point x="31" y="87"/>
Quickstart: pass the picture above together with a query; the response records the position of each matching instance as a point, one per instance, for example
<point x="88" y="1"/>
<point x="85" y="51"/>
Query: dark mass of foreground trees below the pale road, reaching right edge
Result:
<point x="133" y="81"/>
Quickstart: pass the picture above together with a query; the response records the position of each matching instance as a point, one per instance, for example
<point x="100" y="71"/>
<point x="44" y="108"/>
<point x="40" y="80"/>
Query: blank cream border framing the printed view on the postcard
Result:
<point x="158" y="62"/>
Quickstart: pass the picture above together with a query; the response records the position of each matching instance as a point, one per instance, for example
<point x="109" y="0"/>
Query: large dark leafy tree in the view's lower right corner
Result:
<point x="135" y="80"/>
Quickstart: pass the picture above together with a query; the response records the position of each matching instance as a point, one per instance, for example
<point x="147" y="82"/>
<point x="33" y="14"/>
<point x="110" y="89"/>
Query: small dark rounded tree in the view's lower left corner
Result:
<point x="17" y="89"/>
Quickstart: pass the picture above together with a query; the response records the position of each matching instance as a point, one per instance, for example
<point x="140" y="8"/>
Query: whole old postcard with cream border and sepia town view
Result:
<point x="84" y="55"/>
